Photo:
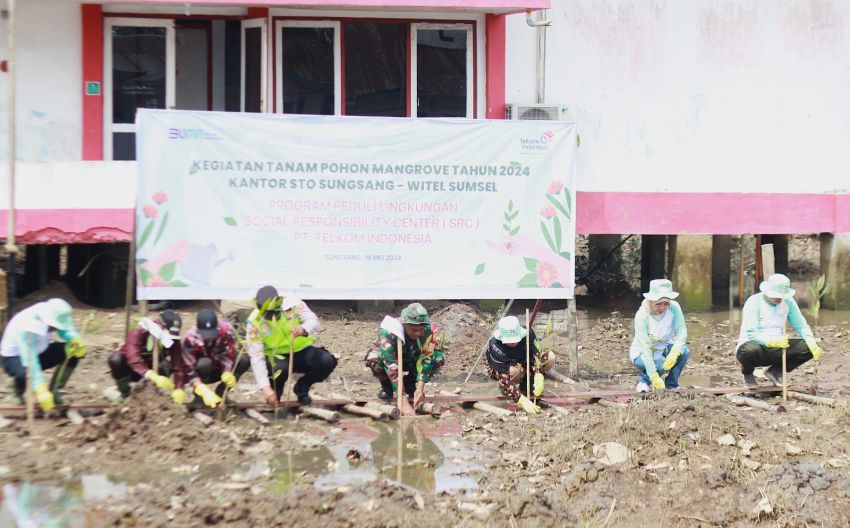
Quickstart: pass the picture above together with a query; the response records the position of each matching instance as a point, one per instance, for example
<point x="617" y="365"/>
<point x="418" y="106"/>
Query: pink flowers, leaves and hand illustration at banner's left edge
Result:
<point x="162" y="270"/>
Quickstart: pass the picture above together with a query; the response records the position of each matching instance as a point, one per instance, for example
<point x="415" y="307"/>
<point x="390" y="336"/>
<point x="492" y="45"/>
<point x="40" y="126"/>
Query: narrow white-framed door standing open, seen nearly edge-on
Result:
<point x="253" y="98"/>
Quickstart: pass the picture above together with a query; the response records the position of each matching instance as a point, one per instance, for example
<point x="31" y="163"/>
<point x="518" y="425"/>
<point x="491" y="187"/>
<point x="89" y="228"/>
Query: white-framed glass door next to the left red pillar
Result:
<point x="139" y="72"/>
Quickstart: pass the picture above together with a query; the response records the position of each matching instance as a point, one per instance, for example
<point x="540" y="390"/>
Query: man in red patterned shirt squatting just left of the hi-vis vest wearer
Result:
<point x="209" y="355"/>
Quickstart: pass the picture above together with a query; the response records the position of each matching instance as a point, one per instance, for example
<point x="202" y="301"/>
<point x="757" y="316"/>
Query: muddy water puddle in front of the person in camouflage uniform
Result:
<point x="427" y="457"/>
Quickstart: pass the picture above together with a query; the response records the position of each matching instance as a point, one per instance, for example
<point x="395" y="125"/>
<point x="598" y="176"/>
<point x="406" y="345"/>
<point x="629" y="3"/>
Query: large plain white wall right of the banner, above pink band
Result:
<point x="698" y="96"/>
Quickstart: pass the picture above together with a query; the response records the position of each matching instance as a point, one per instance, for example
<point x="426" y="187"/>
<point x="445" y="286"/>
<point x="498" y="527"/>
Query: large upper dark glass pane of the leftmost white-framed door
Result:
<point x="138" y="71"/>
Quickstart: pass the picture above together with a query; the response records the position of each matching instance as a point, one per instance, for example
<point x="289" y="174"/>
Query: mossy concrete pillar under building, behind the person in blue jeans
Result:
<point x="692" y="271"/>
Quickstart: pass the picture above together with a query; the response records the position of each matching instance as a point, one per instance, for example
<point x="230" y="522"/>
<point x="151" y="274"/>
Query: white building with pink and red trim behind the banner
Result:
<point x="701" y="119"/>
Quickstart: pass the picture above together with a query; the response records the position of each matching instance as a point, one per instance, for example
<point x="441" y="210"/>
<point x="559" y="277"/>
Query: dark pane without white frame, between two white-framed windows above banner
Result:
<point x="375" y="69"/>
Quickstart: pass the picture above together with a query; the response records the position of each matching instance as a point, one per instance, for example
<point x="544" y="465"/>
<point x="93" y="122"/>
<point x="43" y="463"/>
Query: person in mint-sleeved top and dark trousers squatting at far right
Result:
<point x="763" y="337"/>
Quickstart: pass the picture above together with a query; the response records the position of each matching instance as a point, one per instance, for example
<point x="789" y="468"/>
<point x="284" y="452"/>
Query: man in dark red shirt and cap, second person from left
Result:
<point x="133" y="361"/>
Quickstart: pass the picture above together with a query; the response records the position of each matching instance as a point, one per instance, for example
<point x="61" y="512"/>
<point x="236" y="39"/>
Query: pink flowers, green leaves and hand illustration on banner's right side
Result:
<point x="546" y="266"/>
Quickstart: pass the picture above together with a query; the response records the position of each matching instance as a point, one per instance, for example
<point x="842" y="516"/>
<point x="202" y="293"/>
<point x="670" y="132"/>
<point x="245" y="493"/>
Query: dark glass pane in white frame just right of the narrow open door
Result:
<point x="307" y="62"/>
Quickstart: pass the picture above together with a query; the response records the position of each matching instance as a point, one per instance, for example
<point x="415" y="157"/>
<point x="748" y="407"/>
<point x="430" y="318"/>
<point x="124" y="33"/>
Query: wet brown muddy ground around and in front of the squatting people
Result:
<point x="668" y="460"/>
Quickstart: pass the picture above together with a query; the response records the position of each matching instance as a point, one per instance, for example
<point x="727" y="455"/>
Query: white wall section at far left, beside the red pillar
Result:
<point x="48" y="99"/>
